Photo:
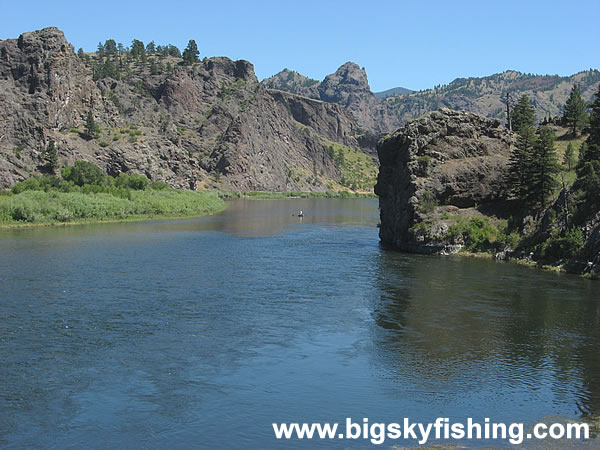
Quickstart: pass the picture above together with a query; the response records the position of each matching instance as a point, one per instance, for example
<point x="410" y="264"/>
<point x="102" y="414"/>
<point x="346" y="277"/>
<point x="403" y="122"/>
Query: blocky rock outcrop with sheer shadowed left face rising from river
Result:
<point x="446" y="163"/>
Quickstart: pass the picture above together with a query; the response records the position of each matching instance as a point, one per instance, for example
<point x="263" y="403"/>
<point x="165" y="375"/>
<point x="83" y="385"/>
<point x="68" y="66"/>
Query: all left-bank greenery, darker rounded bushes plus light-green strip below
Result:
<point x="86" y="194"/>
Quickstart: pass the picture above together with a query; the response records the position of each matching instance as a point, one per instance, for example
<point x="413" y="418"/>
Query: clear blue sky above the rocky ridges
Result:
<point x="411" y="44"/>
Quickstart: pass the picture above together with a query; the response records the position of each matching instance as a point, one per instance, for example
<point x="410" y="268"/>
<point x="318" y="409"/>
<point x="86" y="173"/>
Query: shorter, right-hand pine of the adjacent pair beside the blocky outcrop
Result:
<point x="543" y="168"/>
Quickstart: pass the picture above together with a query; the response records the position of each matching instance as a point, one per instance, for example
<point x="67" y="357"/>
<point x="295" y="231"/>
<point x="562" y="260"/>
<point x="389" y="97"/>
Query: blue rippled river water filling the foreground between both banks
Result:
<point x="201" y="333"/>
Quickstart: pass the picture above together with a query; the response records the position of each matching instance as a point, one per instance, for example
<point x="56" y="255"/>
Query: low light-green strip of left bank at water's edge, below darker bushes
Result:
<point x="39" y="208"/>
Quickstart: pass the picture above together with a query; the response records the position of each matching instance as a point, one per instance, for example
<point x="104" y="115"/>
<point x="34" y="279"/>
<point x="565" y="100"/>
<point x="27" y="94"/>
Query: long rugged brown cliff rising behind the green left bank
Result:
<point x="207" y="125"/>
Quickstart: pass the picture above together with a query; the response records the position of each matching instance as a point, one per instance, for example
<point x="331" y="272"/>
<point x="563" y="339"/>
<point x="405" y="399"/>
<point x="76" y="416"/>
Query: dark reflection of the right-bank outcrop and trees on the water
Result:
<point x="512" y="335"/>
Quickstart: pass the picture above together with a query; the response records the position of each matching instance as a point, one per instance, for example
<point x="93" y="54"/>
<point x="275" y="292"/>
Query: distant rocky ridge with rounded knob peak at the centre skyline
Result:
<point x="348" y="87"/>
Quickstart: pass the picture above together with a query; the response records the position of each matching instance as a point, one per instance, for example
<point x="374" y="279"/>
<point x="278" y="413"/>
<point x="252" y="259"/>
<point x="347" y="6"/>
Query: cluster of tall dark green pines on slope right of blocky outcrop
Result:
<point x="534" y="168"/>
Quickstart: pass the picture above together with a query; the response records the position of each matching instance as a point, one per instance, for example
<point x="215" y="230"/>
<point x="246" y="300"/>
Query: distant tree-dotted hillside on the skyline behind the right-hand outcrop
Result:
<point x="548" y="94"/>
